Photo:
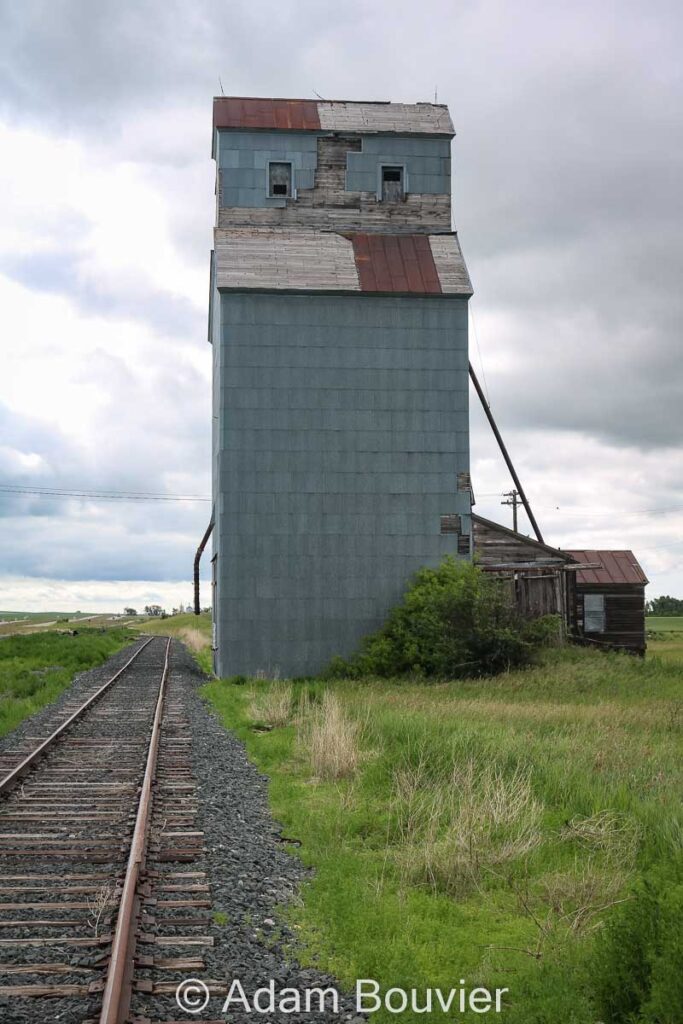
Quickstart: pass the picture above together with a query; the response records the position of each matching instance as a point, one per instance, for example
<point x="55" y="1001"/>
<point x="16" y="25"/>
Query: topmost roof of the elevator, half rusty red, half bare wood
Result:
<point x="310" y="115"/>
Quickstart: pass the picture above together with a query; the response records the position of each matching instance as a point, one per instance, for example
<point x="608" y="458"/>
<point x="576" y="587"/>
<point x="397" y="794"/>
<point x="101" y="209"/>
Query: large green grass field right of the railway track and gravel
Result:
<point x="595" y="740"/>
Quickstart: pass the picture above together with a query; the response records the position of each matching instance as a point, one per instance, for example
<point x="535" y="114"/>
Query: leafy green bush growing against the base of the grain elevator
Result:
<point x="455" y="621"/>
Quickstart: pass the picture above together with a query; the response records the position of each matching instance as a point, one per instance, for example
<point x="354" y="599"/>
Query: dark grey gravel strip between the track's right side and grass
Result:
<point x="251" y="875"/>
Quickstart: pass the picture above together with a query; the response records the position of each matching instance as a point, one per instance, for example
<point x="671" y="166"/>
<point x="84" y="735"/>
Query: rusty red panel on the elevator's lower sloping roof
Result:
<point x="396" y="264"/>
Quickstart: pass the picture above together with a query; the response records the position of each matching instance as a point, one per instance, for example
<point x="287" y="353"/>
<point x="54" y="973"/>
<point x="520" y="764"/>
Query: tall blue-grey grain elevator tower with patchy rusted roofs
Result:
<point x="340" y="388"/>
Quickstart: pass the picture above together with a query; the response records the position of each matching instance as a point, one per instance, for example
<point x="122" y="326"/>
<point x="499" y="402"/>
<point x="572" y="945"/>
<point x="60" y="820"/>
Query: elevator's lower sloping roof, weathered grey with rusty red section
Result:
<point x="306" y="261"/>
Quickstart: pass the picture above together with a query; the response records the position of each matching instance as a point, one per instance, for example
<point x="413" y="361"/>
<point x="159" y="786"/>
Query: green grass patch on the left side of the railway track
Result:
<point x="34" y="670"/>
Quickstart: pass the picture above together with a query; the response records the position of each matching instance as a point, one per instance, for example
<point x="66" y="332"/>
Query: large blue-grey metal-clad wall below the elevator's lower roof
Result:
<point x="343" y="425"/>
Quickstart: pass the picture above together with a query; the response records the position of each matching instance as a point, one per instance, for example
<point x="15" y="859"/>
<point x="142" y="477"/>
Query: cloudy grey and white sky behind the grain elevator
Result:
<point x="568" y="199"/>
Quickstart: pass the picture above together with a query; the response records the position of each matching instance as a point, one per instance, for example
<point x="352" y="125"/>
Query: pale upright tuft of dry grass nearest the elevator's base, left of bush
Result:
<point x="330" y="738"/>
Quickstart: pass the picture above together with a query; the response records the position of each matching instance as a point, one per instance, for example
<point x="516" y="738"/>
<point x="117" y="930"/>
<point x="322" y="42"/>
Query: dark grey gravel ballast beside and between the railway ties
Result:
<point x="249" y="873"/>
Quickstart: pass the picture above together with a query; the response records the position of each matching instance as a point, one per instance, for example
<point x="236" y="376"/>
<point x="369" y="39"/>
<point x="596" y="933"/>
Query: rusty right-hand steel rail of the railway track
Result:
<point x="118" y="990"/>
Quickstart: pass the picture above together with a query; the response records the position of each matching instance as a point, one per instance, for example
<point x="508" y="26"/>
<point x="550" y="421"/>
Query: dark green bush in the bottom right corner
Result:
<point x="637" y="967"/>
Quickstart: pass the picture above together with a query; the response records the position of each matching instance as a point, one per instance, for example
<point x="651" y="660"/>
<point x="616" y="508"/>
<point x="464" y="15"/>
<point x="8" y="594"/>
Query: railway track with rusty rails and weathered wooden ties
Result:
<point x="103" y="910"/>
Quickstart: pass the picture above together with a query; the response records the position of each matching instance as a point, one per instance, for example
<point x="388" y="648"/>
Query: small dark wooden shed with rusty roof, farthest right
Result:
<point x="610" y="605"/>
